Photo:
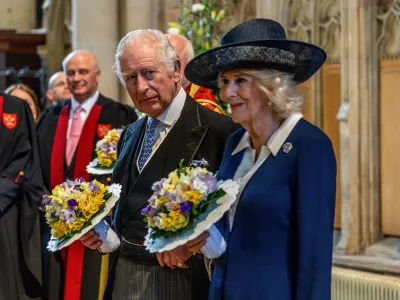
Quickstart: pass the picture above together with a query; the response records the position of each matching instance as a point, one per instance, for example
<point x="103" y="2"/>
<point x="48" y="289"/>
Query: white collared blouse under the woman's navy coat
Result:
<point x="249" y="164"/>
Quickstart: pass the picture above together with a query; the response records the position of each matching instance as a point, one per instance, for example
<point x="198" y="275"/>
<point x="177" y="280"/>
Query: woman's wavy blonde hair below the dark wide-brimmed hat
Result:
<point x="281" y="90"/>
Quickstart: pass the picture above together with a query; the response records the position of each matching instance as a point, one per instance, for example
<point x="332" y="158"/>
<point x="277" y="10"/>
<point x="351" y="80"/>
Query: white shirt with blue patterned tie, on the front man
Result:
<point x="166" y="121"/>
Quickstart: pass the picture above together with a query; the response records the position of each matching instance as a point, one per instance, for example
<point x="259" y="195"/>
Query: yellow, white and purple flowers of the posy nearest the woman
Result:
<point x="179" y="200"/>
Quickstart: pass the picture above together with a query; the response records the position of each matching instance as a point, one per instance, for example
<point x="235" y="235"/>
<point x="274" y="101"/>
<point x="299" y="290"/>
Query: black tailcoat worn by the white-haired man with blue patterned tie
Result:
<point x="198" y="133"/>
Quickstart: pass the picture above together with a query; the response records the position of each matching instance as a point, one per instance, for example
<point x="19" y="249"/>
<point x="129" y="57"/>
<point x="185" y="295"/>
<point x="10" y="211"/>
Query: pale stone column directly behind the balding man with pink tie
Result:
<point x="95" y="28"/>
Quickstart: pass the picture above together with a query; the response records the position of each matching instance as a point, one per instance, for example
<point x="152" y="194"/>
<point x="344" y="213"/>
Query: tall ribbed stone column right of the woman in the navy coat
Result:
<point x="359" y="128"/>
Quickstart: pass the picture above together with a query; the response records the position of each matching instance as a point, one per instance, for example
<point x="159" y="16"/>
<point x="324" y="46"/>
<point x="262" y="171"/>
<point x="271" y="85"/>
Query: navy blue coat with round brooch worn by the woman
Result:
<point x="280" y="246"/>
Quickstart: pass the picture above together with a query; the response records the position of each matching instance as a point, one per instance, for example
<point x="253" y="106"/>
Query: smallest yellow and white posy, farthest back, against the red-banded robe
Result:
<point x="106" y="149"/>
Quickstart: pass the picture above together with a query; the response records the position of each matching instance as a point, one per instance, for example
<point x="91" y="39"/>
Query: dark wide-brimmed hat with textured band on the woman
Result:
<point x="257" y="43"/>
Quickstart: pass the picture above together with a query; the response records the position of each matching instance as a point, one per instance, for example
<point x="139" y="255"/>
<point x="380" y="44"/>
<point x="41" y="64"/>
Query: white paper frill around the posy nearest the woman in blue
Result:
<point x="214" y="213"/>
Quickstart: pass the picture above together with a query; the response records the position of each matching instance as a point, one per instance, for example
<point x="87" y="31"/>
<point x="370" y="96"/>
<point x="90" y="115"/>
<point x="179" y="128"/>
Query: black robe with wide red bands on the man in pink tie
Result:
<point x="77" y="274"/>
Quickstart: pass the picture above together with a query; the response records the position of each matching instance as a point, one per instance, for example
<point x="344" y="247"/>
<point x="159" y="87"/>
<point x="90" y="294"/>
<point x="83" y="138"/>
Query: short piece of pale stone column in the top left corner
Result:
<point x="18" y="14"/>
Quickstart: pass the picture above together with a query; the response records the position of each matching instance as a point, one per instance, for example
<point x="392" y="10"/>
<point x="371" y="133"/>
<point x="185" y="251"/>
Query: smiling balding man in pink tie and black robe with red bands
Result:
<point x="67" y="134"/>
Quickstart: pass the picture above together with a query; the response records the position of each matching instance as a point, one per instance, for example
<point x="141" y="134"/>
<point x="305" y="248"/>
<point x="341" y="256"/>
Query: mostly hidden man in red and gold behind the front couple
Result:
<point x="184" y="52"/>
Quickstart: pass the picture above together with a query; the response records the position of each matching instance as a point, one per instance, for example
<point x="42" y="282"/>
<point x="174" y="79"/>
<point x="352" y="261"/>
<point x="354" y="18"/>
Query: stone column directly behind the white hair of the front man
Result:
<point x="136" y="14"/>
